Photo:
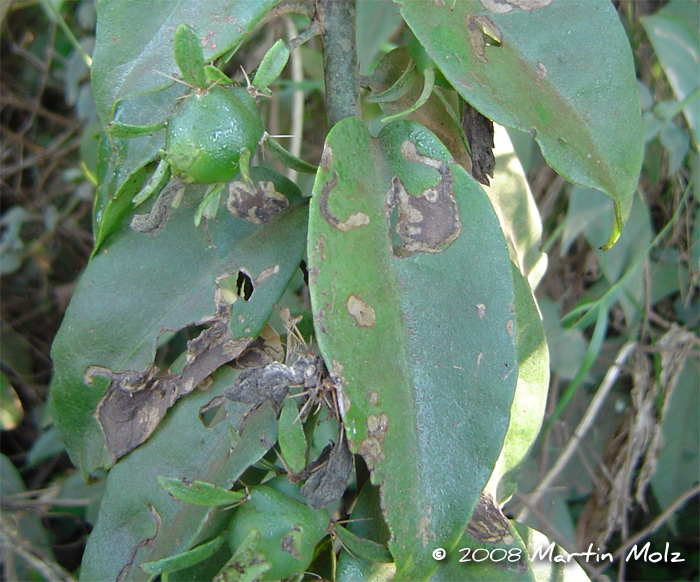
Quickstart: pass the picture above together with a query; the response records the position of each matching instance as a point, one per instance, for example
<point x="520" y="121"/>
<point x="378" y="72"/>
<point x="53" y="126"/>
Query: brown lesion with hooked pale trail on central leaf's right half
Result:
<point x="429" y="222"/>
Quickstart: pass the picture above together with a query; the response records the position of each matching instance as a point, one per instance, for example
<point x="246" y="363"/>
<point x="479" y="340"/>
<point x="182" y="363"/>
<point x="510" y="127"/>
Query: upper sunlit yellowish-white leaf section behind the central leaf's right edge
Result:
<point x="516" y="209"/>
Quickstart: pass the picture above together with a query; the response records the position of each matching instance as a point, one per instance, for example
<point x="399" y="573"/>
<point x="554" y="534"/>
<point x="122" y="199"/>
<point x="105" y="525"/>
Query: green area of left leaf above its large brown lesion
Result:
<point x="150" y="284"/>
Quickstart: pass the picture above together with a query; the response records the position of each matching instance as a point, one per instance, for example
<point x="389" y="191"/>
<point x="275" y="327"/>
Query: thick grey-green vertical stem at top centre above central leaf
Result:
<point x="337" y="21"/>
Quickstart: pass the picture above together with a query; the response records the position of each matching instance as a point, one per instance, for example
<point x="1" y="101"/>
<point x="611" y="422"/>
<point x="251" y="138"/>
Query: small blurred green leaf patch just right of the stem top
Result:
<point x="375" y="23"/>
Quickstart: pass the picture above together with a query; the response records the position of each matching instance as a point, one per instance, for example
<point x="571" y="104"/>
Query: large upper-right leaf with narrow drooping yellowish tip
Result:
<point x="573" y="60"/>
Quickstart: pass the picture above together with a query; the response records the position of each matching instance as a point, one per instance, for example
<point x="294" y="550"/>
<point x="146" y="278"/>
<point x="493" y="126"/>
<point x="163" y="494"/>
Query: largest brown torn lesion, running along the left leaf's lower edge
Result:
<point x="136" y="401"/>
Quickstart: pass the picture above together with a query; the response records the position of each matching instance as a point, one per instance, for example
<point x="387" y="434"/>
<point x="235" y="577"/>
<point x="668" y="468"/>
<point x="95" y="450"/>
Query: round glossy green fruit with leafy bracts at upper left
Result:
<point x="207" y="132"/>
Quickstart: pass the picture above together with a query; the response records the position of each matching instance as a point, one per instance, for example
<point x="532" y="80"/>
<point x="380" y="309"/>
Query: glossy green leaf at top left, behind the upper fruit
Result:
<point x="134" y="44"/>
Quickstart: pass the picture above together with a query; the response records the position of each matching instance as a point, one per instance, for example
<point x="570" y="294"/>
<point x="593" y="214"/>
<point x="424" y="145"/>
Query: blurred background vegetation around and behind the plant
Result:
<point x="632" y="476"/>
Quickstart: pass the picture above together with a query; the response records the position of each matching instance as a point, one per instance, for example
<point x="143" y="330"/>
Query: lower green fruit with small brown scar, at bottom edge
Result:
<point x="289" y="530"/>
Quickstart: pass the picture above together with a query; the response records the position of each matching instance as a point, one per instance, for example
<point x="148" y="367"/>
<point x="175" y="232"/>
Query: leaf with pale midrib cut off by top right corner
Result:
<point x="673" y="32"/>
